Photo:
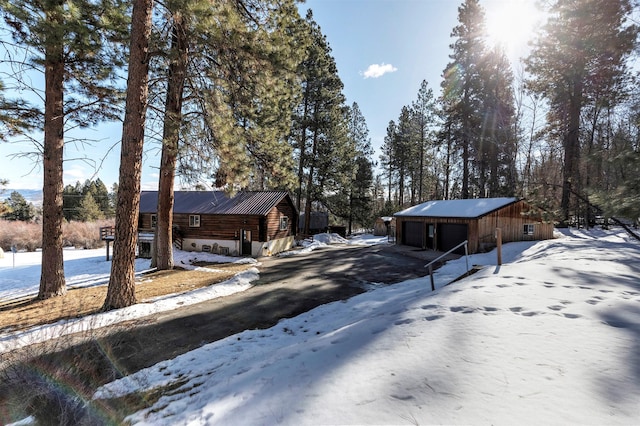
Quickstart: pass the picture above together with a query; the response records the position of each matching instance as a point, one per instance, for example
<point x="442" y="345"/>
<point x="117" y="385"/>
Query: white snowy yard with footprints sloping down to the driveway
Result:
<point x="550" y="337"/>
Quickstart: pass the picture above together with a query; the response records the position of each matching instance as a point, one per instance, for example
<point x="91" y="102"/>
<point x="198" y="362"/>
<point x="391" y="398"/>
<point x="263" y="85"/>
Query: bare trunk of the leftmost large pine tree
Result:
<point x="52" y="281"/>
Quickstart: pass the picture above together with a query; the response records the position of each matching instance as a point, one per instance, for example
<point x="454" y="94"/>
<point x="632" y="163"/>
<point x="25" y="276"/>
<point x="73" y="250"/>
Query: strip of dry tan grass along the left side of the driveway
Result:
<point x="21" y="314"/>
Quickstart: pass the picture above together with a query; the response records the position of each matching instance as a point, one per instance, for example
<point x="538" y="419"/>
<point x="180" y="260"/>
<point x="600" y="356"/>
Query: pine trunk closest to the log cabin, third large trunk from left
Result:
<point x="171" y="136"/>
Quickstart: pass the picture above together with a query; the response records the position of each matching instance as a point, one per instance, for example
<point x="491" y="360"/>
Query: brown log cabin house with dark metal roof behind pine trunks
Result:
<point x="251" y="223"/>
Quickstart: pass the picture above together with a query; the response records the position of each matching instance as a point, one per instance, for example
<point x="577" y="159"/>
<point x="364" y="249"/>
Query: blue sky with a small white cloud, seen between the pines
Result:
<point x="383" y="50"/>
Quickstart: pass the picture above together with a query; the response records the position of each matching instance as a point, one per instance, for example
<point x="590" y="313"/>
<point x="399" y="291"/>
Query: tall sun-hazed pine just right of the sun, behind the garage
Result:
<point x="582" y="47"/>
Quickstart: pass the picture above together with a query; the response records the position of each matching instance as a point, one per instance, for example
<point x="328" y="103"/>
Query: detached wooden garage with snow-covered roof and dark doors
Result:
<point x="441" y="225"/>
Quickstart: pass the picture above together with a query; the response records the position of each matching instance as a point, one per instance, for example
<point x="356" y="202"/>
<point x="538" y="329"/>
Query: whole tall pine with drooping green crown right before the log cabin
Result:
<point x="239" y="72"/>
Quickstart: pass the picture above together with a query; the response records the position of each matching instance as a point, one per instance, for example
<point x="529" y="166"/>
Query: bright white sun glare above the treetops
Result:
<point x="512" y="23"/>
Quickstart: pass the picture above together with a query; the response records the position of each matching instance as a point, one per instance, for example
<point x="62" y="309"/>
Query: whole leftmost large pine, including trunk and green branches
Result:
<point x="76" y="47"/>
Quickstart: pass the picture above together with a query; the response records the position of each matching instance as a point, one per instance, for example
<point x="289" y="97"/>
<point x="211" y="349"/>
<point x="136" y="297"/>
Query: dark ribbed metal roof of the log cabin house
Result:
<point x="249" y="203"/>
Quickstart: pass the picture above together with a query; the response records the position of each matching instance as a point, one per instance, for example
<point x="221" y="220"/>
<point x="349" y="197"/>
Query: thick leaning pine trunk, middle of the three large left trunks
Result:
<point x="121" y="291"/>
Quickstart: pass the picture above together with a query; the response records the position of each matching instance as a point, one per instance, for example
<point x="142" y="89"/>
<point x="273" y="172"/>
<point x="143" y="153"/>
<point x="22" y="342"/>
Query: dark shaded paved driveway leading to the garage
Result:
<point x="287" y="287"/>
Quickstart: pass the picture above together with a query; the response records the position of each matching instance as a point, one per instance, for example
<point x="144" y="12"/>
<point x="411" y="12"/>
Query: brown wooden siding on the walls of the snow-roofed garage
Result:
<point x="481" y="231"/>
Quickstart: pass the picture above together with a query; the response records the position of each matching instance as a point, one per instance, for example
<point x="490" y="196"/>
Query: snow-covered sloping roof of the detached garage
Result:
<point x="471" y="208"/>
